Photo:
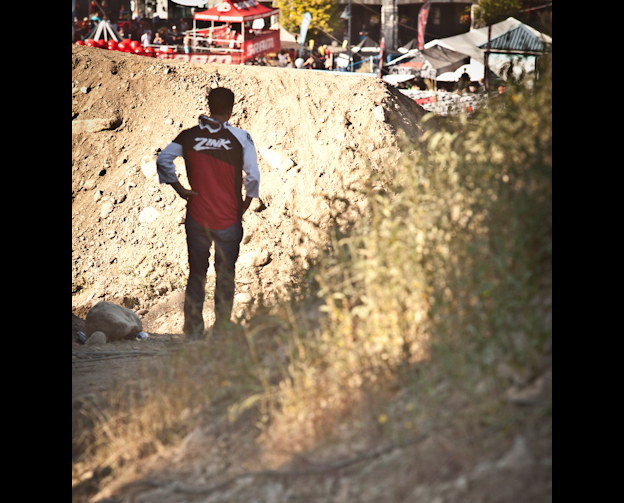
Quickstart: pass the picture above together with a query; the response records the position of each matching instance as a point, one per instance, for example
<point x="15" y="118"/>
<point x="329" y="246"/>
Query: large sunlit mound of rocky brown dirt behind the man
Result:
<point x="315" y="133"/>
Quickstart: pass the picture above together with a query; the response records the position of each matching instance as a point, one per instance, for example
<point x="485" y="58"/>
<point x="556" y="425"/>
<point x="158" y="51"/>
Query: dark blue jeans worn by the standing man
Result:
<point x="227" y="248"/>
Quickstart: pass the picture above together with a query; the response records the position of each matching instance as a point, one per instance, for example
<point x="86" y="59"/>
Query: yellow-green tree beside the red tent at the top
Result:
<point x="324" y="14"/>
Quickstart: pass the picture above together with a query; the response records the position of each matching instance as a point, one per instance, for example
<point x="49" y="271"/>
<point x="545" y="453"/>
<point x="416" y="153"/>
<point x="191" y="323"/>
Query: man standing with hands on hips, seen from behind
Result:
<point x="216" y="155"/>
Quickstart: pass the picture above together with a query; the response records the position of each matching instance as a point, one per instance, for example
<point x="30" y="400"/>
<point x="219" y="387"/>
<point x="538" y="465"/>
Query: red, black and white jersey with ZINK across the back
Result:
<point x="216" y="155"/>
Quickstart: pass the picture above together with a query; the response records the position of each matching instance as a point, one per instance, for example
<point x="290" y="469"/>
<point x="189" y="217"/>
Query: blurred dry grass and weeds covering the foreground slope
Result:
<point x="442" y="288"/>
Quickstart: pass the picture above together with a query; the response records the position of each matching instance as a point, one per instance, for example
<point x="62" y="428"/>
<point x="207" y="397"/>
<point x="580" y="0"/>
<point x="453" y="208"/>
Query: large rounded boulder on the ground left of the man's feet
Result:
<point x="118" y="323"/>
